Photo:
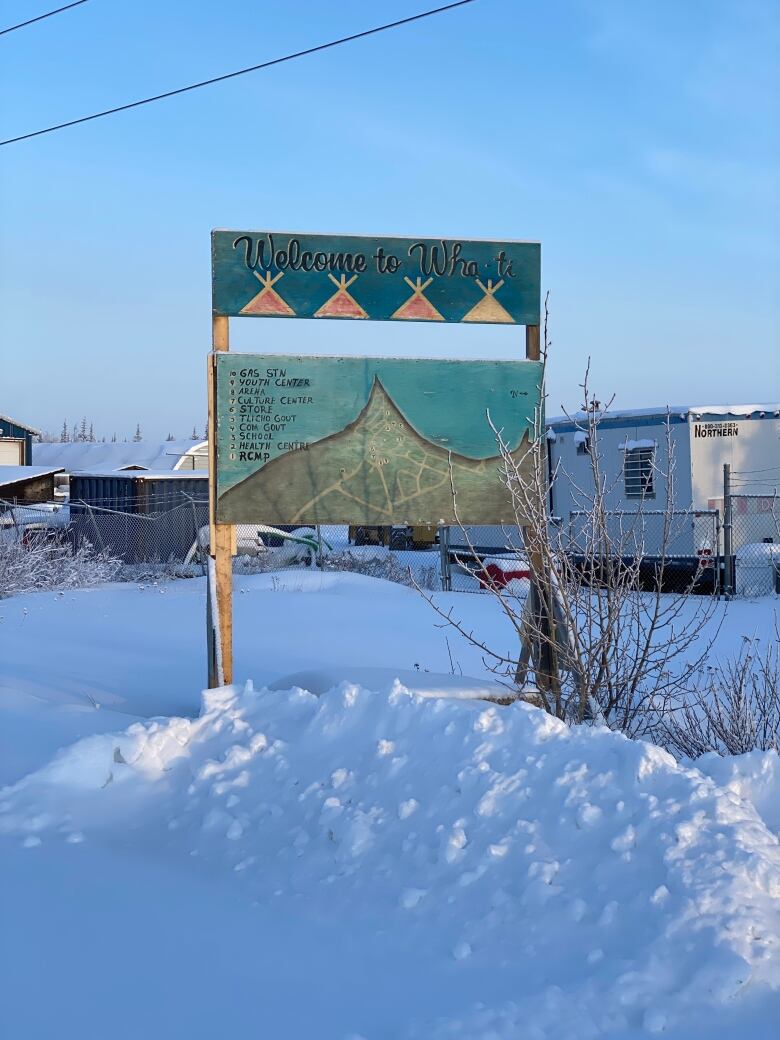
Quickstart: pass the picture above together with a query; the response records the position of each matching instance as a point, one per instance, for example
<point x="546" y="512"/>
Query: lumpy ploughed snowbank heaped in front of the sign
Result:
<point x="640" y="889"/>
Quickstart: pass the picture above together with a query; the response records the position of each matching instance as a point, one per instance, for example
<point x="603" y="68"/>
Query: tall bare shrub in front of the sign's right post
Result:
<point x="595" y="639"/>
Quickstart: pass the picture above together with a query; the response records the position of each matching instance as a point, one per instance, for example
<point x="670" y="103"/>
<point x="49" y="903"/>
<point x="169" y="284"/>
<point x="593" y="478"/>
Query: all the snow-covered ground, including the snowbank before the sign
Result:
<point x="367" y="863"/>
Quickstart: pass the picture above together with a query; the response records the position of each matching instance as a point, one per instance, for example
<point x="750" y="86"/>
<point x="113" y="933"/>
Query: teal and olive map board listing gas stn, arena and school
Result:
<point x="370" y="440"/>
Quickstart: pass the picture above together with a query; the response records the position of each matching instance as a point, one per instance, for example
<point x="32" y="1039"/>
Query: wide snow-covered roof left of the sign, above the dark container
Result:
<point x="81" y="456"/>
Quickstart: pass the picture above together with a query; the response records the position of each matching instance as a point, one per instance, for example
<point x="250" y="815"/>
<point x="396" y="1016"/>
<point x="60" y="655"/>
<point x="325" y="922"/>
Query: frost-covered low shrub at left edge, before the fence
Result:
<point x="42" y="564"/>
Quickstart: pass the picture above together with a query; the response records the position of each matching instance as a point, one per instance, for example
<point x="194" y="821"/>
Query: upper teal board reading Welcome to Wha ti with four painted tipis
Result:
<point x="262" y="274"/>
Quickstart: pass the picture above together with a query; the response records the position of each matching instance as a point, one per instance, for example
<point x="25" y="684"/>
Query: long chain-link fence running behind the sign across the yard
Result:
<point x="684" y="550"/>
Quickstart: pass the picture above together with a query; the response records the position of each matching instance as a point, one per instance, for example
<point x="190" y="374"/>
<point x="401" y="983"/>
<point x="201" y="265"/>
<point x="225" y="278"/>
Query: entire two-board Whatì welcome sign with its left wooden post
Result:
<point x="294" y="438"/>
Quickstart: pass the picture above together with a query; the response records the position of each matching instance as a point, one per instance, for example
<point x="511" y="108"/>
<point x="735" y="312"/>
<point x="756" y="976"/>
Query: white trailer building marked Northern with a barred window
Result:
<point x="634" y="448"/>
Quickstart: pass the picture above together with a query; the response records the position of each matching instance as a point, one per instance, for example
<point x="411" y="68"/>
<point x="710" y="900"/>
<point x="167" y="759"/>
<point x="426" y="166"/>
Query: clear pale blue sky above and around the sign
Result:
<point x="639" y="142"/>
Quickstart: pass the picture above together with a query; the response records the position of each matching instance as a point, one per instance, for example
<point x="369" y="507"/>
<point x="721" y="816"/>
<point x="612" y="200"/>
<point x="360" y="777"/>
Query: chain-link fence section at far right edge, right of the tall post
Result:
<point x="755" y="565"/>
